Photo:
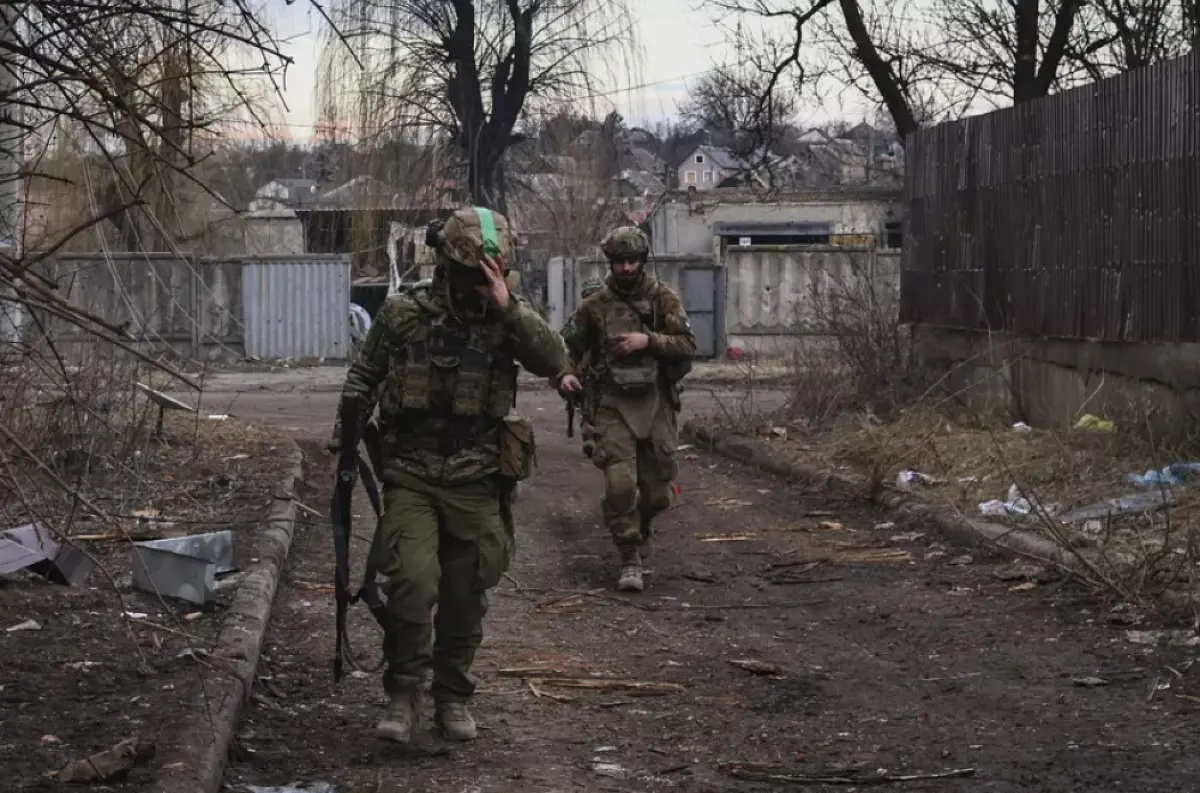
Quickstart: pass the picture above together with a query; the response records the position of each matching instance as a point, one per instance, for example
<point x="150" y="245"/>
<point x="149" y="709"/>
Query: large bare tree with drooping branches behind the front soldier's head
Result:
<point x="467" y="70"/>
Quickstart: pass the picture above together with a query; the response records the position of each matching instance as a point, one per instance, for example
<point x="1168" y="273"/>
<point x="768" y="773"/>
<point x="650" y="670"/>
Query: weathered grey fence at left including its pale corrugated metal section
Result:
<point x="209" y="309"/>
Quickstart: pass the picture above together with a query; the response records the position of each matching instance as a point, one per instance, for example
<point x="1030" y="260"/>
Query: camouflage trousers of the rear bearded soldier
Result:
<point x="639" y="473"/>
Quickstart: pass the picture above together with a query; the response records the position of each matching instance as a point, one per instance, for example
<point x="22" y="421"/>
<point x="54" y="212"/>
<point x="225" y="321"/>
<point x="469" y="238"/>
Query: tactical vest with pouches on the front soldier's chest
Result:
<point x="458" y="373"/>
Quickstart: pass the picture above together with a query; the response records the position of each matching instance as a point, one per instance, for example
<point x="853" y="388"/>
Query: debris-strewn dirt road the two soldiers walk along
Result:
<point x="769" y="638"/>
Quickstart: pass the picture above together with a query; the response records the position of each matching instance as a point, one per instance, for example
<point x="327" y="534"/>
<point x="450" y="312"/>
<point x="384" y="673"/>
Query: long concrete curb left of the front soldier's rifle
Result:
<point x="199" y="764"/>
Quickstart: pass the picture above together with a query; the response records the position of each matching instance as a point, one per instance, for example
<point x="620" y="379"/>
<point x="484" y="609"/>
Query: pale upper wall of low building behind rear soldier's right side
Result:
<point x="683" y="227"/>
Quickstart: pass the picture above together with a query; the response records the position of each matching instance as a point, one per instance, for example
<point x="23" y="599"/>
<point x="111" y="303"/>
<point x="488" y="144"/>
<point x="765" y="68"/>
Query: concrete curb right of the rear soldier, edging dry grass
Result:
<point x="956" y="528"/>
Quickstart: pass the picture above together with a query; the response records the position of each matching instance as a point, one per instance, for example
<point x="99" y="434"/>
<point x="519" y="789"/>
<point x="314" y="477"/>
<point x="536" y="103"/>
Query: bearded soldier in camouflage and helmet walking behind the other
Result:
<point x="638" y="338"/>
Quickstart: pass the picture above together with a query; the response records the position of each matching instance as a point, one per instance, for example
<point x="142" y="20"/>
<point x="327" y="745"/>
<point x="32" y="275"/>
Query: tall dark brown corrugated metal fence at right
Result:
<point x="1072" y="217"/>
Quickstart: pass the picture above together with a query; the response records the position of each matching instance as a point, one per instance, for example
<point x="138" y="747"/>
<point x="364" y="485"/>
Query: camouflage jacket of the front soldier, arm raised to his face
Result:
<point x="375" y="379"/>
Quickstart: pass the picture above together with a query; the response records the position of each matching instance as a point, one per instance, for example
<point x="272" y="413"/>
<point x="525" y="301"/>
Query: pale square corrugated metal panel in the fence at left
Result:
<point x="297" y="307"/>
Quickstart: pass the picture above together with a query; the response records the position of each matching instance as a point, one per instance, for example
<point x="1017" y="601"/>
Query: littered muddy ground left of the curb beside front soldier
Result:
<point x="86" y="668"/>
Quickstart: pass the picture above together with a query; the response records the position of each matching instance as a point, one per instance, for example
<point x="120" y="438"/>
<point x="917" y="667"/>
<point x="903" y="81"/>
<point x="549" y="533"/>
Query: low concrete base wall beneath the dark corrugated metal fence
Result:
<point x="1052" y="383"/>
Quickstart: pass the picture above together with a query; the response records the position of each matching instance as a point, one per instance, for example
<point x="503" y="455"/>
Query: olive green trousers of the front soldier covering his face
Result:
<point x="440" y="548"/>
